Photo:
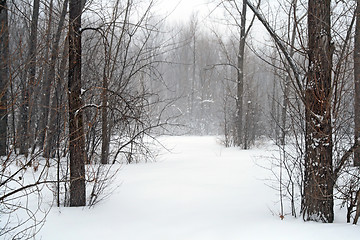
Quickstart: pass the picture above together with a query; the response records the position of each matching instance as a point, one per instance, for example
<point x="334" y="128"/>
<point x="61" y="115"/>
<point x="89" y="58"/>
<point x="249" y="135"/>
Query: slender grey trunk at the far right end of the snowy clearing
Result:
<point x="240" y="78"/>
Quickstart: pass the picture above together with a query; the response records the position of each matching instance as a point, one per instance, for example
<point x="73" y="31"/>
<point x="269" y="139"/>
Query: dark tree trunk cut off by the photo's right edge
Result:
<point x="357" y="84"/>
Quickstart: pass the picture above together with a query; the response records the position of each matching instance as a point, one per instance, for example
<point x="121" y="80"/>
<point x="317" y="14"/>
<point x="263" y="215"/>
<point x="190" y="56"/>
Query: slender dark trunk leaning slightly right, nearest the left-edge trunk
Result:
<point x="30" y="83"/>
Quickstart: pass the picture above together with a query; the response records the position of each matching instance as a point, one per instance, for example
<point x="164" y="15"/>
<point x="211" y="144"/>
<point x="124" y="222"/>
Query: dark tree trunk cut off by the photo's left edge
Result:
<point x="4" y="75"/>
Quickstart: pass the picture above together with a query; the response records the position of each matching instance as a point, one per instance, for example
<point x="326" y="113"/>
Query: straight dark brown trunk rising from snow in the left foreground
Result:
<point x="76" y="128"/>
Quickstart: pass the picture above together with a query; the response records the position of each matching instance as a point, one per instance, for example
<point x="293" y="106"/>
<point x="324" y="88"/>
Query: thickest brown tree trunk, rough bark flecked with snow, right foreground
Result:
<point x="317" y="204"/>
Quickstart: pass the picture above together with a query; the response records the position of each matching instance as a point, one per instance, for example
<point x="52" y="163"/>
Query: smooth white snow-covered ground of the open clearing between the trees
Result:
<point x="199" y="190"/>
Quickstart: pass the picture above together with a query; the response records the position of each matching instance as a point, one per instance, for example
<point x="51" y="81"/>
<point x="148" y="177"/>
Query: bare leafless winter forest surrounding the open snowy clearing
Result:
<point x="86" y="86"/>
